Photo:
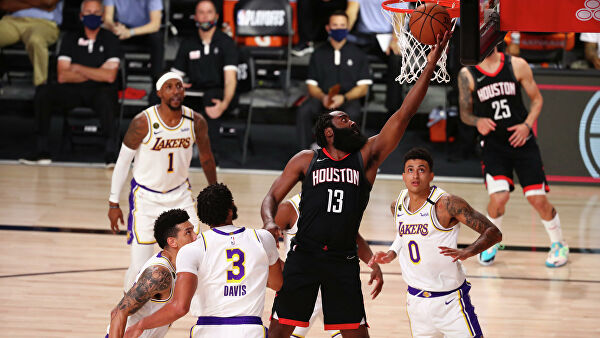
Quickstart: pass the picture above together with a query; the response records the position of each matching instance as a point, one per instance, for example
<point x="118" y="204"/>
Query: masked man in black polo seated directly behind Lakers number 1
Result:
<point x="209" y="60"/>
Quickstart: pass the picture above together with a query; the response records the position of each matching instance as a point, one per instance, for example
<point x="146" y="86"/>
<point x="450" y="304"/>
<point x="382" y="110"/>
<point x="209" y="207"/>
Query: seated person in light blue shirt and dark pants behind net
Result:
<point x="371" y="31"/>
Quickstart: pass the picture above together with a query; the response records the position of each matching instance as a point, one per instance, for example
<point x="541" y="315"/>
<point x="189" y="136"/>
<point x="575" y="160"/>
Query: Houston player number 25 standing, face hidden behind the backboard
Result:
<point x="490" y="99"/>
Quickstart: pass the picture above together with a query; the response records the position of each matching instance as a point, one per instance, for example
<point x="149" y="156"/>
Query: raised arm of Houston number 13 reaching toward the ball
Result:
<point x="381" y="145"/>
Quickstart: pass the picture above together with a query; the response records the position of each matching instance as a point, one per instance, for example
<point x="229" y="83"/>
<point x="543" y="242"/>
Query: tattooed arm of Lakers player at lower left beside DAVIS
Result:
<point x="154" y="280"/>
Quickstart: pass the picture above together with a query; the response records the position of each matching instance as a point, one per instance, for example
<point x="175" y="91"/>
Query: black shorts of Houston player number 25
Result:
<point x="499" y="162"/>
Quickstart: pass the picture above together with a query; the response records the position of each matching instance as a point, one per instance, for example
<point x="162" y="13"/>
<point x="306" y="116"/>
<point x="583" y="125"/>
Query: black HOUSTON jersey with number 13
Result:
<point x="334" y="197"/>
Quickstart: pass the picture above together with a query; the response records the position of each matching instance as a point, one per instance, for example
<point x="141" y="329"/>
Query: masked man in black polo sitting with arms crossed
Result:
<point x="87" y="68"/>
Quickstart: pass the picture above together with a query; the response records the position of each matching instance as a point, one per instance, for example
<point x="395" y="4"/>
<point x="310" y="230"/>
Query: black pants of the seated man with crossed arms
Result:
<point x="100" y="97"/>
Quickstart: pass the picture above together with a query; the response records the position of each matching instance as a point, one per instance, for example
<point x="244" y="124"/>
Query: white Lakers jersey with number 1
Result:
<point x="162" y="161"/>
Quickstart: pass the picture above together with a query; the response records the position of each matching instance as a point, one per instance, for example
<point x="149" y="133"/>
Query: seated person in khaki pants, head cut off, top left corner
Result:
<point x="35" y="23"/>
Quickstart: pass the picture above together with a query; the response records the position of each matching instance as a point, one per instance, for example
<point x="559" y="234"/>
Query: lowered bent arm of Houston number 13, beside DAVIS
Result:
<point x="294" y="171"/>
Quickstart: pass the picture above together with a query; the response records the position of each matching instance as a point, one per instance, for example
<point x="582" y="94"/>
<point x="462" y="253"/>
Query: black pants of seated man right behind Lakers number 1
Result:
<point x="214" y="125"/>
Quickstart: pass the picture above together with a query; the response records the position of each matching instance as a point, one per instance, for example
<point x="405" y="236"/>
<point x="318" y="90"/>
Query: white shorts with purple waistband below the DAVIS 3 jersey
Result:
<point x="222" y="329"/>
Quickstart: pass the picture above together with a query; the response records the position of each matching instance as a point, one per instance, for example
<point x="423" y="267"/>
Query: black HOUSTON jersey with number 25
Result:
<point x="498" y="96"/>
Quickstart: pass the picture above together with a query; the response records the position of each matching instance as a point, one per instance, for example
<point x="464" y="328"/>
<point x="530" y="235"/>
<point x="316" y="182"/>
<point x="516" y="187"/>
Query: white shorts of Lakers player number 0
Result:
<point x="451" y="315"/>
